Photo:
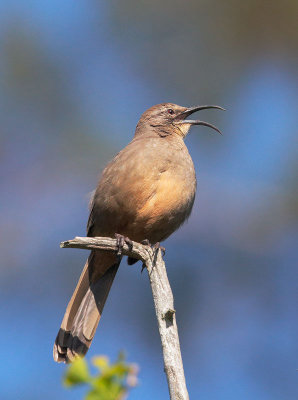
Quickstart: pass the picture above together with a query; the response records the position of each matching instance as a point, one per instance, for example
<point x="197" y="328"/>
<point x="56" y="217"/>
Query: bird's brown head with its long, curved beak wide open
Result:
<point x="168" y="119"/>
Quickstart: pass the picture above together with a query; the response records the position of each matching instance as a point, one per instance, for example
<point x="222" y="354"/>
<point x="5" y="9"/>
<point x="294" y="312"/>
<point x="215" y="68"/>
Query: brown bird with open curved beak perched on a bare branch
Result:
<point x="145" y="193"/>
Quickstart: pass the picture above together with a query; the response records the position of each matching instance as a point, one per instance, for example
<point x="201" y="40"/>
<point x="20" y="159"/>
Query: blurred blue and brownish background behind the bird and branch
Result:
<point x="74" y="80"/>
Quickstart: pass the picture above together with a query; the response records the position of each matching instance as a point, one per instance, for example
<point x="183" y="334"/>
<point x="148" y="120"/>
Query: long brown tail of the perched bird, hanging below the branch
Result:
<point x="85" y="307"/>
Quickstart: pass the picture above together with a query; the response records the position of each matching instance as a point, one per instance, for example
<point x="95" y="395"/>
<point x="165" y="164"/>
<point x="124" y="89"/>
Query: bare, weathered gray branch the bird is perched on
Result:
<point x="163" y="303"/>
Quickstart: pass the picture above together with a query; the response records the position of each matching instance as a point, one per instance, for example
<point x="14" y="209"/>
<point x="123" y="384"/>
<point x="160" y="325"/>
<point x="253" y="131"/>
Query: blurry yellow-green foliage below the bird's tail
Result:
<point x="112" y="381"/>
